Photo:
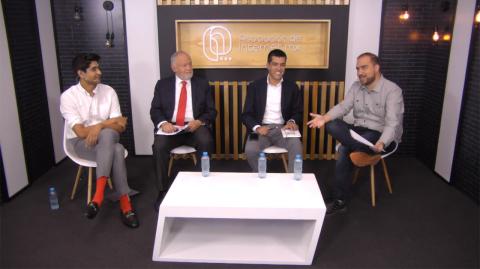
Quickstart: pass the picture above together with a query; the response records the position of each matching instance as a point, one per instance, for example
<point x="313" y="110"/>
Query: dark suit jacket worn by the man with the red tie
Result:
<point x="163" y="102"/>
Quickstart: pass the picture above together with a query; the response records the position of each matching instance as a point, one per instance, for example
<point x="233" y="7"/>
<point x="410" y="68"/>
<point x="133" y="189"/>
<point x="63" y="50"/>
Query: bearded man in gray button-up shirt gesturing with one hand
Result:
<point x="377" y="105"/>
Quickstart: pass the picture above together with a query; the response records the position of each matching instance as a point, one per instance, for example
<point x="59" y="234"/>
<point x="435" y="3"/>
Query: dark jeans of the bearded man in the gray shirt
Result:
<point x="340" y="130"/>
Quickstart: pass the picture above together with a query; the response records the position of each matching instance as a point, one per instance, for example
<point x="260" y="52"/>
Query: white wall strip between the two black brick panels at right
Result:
<point x="452" y="102"/>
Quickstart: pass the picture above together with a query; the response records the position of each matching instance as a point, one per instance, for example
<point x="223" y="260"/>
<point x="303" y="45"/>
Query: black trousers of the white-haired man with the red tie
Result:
<point x="201" y="140"/>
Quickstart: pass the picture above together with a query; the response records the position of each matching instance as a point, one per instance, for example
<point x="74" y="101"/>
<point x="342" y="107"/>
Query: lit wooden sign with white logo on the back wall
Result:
<point x="246" y="43"/>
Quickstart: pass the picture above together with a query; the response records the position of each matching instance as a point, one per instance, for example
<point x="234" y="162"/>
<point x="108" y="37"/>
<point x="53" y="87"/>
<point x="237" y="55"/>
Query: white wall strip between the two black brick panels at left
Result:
<point x="50" y="69"/>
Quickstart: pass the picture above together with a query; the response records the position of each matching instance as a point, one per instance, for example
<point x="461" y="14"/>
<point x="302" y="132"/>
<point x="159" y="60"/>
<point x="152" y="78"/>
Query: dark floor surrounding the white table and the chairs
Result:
<point x="425" y="223"/>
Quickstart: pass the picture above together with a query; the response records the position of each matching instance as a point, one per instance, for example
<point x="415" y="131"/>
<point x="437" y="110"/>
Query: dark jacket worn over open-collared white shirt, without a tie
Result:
<point x="291" y="103"/>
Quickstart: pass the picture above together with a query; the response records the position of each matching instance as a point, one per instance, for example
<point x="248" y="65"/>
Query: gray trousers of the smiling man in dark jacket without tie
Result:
<point x="274" y="138"/>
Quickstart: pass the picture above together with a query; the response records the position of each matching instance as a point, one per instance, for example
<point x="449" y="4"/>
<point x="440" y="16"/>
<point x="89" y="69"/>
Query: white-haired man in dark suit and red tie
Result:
<point x="180" y="100"/>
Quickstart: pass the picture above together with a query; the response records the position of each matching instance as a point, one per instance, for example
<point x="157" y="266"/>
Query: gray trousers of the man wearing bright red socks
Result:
<point x="109" y="155"/>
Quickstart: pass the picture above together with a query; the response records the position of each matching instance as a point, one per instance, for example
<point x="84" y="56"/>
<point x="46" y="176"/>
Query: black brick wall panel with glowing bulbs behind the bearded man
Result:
<point x="411" y="59"/>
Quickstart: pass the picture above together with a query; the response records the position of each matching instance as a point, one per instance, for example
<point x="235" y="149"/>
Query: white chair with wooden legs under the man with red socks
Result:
<point x="68" y="148"/>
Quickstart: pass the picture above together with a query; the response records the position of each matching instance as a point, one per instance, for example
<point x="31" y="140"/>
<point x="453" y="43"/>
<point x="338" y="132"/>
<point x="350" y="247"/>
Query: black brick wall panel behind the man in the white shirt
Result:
<point x="88" y="35"/>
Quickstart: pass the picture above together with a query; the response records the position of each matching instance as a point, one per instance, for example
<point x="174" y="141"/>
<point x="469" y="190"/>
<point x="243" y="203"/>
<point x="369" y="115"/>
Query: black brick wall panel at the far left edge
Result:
<point x="26" y="59"/>
